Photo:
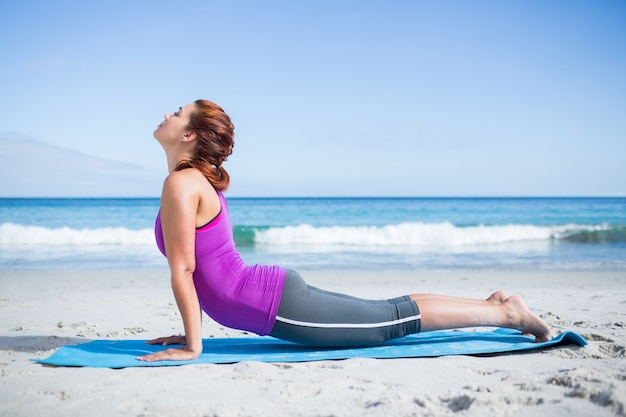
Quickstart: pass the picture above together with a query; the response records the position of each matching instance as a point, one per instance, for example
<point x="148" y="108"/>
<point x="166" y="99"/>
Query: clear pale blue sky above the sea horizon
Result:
<point x="328" y="98"/>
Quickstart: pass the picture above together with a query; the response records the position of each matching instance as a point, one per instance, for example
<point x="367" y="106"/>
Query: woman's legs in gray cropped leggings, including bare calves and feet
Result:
<point x="313" y="316"/>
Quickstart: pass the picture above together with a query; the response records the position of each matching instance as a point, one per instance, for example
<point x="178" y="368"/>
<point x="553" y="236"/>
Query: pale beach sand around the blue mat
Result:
<point x="43" y="310"/>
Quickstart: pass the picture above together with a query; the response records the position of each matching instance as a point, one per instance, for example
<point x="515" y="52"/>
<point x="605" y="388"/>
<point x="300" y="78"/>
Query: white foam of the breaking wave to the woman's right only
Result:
<point x="414" y="234"/>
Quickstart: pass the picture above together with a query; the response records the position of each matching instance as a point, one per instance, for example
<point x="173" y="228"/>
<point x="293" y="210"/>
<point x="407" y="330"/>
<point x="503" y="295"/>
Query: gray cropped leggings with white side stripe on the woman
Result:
<point x="312" y="316"/>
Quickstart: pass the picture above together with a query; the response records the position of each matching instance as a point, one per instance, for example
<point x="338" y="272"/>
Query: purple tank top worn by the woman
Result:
<point x="232" y="293"/>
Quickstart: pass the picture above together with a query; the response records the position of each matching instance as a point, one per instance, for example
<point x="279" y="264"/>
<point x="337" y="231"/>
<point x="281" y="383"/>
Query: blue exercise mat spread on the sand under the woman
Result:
<point x="123" y="353"/>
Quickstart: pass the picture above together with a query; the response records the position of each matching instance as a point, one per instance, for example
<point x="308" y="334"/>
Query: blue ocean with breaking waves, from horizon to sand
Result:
<point x="330" y="233"/>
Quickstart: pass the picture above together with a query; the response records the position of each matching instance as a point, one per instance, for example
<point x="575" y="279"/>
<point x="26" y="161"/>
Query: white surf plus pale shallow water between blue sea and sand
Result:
<point x="406" y="245"/>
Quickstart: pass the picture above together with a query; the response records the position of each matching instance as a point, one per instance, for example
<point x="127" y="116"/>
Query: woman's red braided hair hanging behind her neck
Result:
<point x="215" y="138"/>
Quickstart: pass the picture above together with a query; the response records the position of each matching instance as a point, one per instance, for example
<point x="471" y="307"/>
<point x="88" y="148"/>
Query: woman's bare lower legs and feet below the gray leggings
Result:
<point x="442" y="312"/>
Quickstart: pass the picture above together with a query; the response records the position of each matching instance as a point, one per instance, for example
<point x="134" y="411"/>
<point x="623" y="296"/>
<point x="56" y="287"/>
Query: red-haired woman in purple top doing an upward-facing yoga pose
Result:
<point x="194" y="232"/>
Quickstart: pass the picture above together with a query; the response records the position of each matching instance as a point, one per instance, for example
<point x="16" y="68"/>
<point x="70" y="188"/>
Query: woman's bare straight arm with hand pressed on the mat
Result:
<point x="179" y="206"/>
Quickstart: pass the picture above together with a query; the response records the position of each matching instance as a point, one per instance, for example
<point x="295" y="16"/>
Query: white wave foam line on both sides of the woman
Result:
<point x="404" y="234"/>
